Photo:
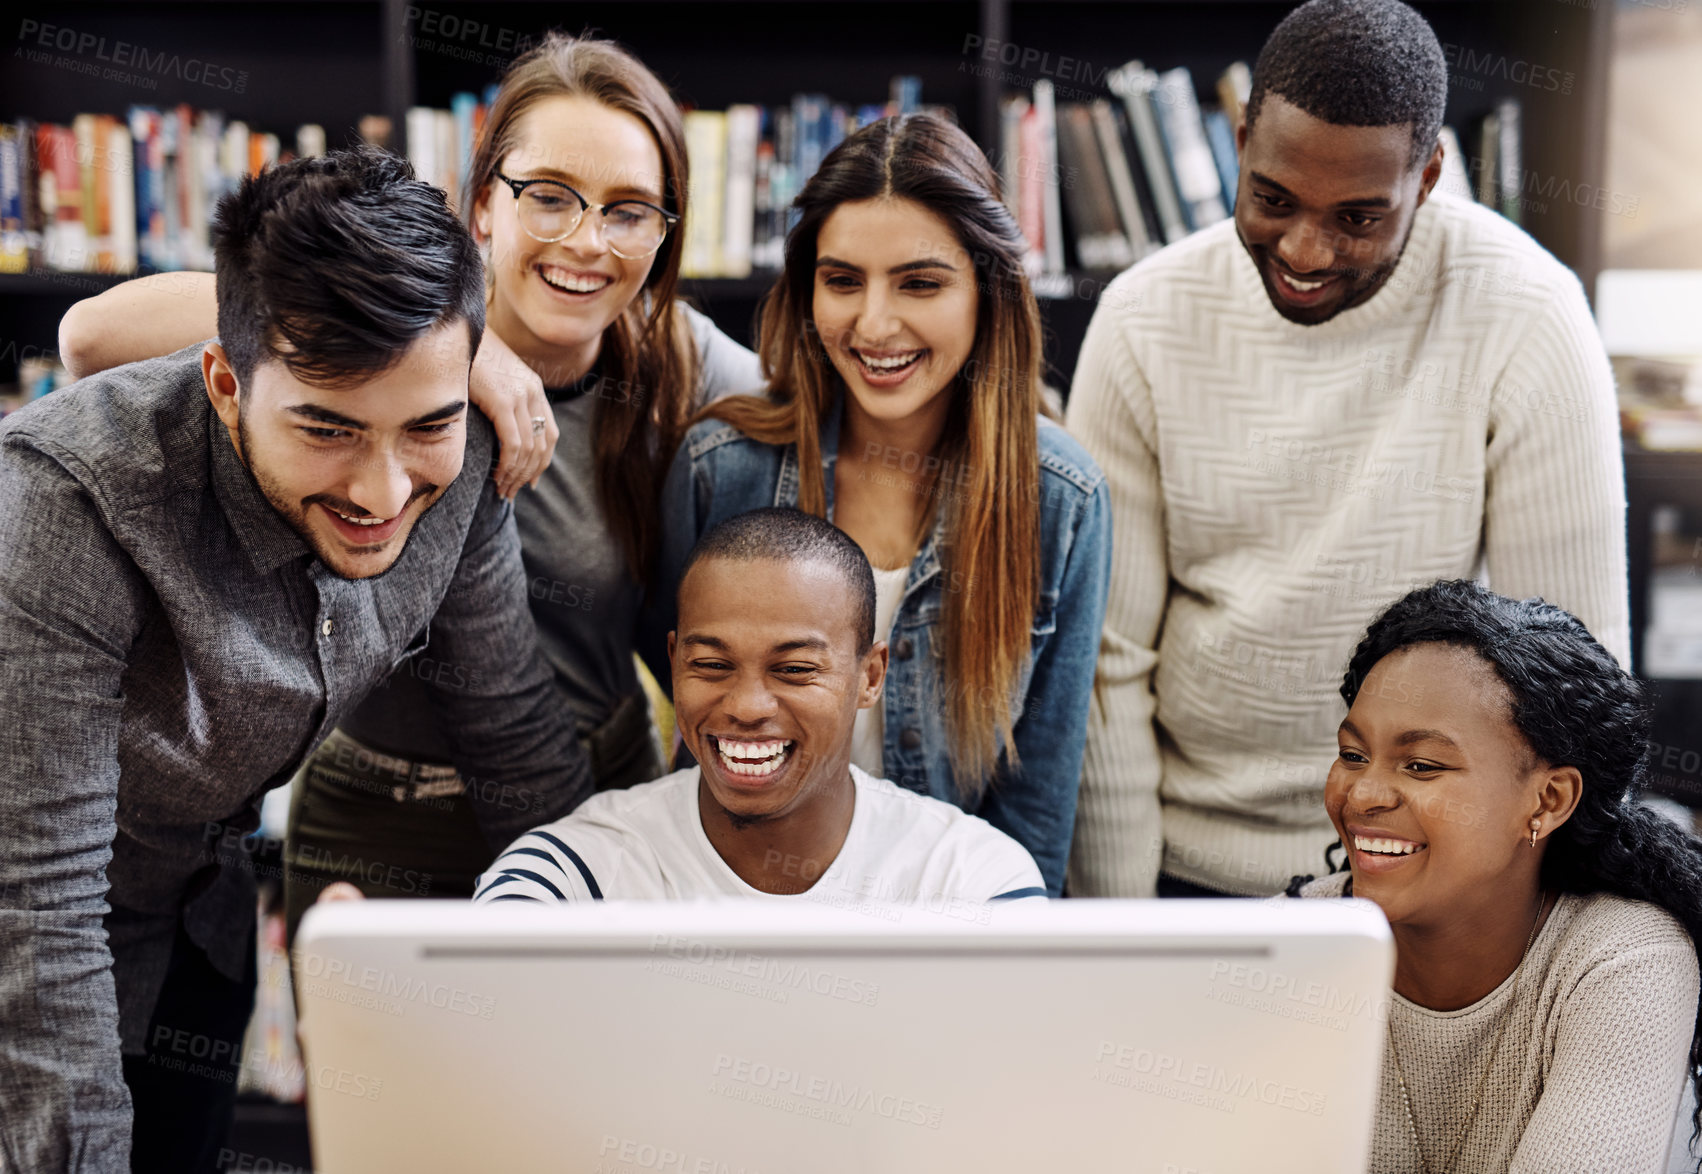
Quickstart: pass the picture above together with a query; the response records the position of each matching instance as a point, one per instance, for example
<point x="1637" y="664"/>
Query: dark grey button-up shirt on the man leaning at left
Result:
<point x="169" y="653"/>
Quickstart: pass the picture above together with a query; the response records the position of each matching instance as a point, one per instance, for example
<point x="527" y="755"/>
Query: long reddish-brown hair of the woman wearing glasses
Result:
<point x="648" y="353"/>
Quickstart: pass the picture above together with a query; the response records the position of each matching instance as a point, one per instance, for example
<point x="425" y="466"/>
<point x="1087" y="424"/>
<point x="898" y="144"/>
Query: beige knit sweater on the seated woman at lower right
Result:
<point x="1591" y="1071"/>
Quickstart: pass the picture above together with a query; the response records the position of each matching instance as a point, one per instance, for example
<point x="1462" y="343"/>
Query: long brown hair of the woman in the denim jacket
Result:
<point x="991" y="552"/>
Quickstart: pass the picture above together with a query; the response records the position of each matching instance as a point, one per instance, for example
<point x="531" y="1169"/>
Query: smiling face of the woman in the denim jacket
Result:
<point x="896" y="307"/>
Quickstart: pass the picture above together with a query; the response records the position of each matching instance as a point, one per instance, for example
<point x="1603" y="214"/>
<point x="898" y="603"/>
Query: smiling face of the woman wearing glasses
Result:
<point x="554" y="300"/>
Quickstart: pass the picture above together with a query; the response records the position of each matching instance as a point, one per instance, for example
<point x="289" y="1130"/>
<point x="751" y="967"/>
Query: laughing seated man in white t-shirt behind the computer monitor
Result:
<point x="774" y="658"/>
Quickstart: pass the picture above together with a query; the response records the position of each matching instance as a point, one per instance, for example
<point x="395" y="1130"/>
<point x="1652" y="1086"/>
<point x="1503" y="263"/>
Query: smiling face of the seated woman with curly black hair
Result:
<point x="1434" y="789"/>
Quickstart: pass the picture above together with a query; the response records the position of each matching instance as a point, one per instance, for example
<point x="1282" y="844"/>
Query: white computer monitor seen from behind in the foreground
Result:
<point x="758" y="1039"/>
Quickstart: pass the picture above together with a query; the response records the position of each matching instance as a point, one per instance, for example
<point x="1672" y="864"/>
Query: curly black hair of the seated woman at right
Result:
<point x="1575" y="707"/>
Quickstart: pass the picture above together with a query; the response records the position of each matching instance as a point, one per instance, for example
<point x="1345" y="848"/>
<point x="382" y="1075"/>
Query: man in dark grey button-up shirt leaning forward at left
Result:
<point x="207" y="561"/>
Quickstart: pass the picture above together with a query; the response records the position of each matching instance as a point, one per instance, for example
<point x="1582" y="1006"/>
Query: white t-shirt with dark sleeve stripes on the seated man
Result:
<point x="648" y="843"/>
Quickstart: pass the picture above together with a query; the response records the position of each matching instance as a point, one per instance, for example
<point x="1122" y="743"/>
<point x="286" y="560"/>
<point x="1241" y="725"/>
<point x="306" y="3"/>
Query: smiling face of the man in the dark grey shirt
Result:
<point x="353" y="469"/>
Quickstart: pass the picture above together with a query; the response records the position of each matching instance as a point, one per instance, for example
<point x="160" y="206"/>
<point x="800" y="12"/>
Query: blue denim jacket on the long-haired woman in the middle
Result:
<point x="721" y="472"/>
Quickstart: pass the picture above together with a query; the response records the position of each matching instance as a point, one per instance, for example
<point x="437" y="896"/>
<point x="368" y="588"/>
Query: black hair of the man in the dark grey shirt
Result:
<point x="338" y="265"/>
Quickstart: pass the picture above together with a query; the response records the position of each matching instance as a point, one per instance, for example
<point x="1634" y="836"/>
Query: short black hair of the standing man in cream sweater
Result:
<point x="1357" y="64"/>
